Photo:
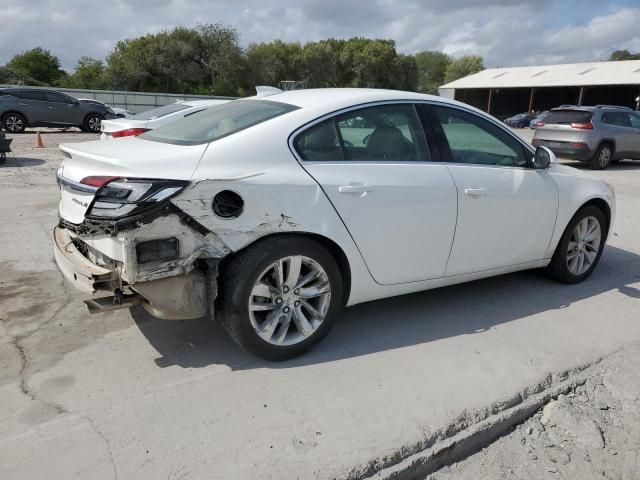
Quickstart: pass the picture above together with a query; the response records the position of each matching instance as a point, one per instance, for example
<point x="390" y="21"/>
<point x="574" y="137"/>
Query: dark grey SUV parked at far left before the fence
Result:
<point x="38" y="107"/>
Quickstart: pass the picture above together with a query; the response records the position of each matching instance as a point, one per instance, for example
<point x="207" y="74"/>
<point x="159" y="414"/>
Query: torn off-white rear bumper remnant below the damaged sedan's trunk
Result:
<point x="77" y="269"/>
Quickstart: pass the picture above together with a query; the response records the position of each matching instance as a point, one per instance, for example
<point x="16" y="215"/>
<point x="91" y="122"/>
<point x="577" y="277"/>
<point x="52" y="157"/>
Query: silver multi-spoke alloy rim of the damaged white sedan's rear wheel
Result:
<point x="289" y="300"/>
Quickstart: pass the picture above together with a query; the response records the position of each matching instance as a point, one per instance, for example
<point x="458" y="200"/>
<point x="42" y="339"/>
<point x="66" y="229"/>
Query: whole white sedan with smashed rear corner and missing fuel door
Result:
<point x="272" y="213"/>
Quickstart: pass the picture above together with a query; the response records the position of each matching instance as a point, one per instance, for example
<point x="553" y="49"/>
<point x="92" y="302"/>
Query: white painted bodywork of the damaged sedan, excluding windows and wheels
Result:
<point x="414" y="229"/>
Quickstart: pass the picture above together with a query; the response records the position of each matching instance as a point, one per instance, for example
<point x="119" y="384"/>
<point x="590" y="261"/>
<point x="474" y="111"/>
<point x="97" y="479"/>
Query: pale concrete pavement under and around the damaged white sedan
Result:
<point x="122" y="395"/>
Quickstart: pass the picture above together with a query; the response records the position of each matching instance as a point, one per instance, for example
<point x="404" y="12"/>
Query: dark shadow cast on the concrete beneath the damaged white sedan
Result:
<point x="402" y="321"/>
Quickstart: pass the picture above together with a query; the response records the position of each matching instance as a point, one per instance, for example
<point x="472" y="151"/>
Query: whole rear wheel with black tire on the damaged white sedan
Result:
<point x="279" y="297"/>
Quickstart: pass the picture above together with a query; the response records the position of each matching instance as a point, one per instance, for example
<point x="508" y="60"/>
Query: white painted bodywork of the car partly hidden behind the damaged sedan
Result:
<point x="144" y="120"/>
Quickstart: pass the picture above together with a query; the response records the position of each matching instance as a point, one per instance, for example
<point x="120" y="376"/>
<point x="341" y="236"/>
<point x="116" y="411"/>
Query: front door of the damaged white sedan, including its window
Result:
<point x="506" y="210"/>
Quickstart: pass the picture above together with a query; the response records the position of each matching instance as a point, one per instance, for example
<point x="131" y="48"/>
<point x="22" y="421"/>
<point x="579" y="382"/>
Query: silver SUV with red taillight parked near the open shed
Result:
<point x="596" y="135"/>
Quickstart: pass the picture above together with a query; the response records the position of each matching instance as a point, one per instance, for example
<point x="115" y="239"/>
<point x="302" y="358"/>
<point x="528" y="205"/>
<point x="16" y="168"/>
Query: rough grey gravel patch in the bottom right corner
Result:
<point x="593" y="432"/>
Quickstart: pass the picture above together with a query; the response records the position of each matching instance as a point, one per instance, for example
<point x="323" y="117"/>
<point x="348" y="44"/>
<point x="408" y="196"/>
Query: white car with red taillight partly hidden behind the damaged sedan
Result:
<point x="154" y="118"/>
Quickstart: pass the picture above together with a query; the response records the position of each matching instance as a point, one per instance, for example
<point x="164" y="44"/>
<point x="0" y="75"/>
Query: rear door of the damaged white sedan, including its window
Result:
<point x="393" y="195"/>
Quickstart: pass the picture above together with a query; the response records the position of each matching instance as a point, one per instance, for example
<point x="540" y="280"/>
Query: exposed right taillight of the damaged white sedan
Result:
<point x="120" y="197"/>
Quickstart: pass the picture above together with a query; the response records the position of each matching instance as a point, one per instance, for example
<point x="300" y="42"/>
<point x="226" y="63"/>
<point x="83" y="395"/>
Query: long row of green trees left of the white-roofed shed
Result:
<point x="208" y="60"/>
